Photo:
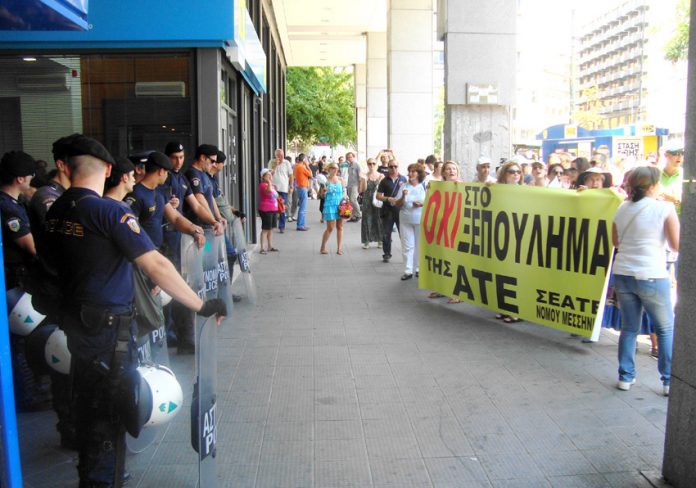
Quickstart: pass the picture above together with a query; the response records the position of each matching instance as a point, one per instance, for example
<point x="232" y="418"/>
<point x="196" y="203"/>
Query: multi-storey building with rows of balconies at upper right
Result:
<point x="623" y="76"/>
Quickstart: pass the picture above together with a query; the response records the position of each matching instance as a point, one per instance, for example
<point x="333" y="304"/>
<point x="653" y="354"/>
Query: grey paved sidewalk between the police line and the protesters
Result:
<point x="345" y="376"/>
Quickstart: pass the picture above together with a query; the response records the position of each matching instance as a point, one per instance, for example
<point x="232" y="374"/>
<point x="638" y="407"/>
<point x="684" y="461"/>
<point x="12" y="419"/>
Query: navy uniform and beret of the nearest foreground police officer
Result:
<point x="91" y="242"/>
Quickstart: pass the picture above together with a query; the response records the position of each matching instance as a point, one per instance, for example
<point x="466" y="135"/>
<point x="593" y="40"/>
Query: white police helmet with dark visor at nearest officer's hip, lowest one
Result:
<point x="149" y="395"/>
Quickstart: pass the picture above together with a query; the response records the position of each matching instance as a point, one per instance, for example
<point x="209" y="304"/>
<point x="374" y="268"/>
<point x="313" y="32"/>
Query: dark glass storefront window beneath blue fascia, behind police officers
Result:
<point x="130" y="102"/>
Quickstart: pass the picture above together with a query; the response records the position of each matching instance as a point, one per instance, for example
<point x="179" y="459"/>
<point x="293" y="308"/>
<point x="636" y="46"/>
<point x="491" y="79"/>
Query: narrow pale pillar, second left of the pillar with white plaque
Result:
<point x="376" y="134"/>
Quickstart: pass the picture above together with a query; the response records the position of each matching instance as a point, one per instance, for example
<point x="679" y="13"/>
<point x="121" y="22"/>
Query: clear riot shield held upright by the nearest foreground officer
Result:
<point x="204" y="404"/>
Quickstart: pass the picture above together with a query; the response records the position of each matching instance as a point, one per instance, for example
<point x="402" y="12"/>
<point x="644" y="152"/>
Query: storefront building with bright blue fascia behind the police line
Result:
<point x="136" y="82"/>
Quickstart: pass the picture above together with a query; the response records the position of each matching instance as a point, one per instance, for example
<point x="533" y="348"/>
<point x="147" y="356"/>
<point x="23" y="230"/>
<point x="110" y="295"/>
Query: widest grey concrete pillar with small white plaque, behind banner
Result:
<point x="480" y="55"/>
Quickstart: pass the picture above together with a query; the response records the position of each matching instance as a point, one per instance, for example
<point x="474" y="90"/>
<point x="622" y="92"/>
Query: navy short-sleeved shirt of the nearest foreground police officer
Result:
<point x="91" y="241"/>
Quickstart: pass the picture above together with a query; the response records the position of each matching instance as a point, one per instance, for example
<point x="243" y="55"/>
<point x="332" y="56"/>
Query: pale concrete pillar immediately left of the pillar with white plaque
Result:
<point x="410" y="66"/>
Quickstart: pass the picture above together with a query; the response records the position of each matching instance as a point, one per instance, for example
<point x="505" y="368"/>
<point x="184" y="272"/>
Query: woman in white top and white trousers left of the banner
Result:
<point x="410" y="200"/>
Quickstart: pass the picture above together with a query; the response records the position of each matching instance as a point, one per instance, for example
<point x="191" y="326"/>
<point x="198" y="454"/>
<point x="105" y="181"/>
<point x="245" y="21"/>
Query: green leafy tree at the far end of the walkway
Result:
<point x="320" y="104"/>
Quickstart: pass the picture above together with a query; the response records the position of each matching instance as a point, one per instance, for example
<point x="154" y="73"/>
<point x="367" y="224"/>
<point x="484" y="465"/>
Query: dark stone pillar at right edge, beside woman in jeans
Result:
<point x="679" y="463"/>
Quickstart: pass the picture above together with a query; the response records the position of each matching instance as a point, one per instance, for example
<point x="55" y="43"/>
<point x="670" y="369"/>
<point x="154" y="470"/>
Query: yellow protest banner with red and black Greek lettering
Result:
<point x="540" y="254"/>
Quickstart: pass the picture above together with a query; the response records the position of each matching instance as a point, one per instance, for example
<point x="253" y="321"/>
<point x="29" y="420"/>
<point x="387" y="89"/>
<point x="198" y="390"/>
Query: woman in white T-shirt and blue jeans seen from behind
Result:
<point x="642" y="228"/>
